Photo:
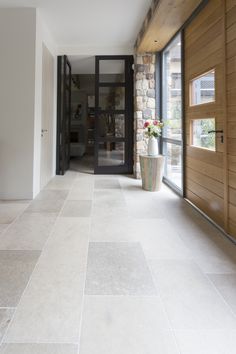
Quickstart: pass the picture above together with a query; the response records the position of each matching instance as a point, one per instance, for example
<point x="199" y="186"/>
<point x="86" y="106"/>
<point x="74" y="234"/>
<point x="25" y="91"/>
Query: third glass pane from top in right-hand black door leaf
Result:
<point x="112" y="125"/>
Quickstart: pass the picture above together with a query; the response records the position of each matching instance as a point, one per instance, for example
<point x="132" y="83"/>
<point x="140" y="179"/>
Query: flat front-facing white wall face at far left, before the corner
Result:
<point x="17" y="92"/>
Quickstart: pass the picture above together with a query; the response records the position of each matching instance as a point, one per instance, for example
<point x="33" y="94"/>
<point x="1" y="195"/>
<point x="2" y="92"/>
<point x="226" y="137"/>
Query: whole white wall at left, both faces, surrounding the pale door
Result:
<point x="22" y="34"/>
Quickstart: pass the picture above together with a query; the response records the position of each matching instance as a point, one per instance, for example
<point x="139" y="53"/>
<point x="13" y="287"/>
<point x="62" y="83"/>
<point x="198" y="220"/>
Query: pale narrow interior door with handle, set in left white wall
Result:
<point x="47" y="117"/>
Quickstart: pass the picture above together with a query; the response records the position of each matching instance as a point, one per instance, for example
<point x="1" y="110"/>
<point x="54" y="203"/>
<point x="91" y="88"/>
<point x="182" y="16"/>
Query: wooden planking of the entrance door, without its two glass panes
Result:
<point x="205" y="178"/>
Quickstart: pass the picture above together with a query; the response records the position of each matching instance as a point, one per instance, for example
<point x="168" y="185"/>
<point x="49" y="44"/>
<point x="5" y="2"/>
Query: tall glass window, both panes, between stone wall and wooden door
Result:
<point x="172" y="112"/>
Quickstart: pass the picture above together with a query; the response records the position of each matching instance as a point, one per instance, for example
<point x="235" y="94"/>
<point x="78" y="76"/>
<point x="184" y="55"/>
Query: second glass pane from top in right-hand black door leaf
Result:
<point x="111" y="98"/>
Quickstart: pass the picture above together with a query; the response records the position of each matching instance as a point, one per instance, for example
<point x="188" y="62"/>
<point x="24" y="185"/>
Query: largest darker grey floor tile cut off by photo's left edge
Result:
<point x="16" y="269"/>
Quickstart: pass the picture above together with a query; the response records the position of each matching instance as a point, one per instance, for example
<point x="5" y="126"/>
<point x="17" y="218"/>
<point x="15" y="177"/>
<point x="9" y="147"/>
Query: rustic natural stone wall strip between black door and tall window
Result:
<point x="144" y="100"/>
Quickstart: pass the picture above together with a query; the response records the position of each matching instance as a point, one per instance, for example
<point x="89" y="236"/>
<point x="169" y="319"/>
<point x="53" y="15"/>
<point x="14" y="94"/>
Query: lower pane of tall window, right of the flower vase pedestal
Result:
<point x="173" y="163"/>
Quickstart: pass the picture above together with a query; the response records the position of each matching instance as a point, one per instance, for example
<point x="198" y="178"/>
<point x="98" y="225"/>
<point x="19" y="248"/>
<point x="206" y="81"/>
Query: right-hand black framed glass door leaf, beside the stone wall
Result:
<point x="113" y="114"/>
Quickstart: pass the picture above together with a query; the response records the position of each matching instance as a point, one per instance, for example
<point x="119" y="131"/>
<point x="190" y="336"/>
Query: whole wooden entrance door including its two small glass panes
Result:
<point x="205" y="113"/>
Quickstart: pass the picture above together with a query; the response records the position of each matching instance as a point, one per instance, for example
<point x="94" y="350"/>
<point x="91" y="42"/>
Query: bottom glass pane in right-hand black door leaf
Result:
<point x="111" y="154"/>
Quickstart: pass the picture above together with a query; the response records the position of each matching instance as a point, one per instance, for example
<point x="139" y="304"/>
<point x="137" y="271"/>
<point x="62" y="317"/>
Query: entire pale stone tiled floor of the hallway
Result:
<point x="96" y="265"/>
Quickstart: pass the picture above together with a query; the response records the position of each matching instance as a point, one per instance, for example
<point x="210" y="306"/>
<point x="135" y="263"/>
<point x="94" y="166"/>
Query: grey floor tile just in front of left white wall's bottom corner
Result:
<point x="45" y="206"/>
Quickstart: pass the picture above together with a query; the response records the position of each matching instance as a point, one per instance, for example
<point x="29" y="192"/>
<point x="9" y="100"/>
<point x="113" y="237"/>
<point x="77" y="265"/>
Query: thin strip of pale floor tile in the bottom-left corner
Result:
<point x="39" y="349"/>
